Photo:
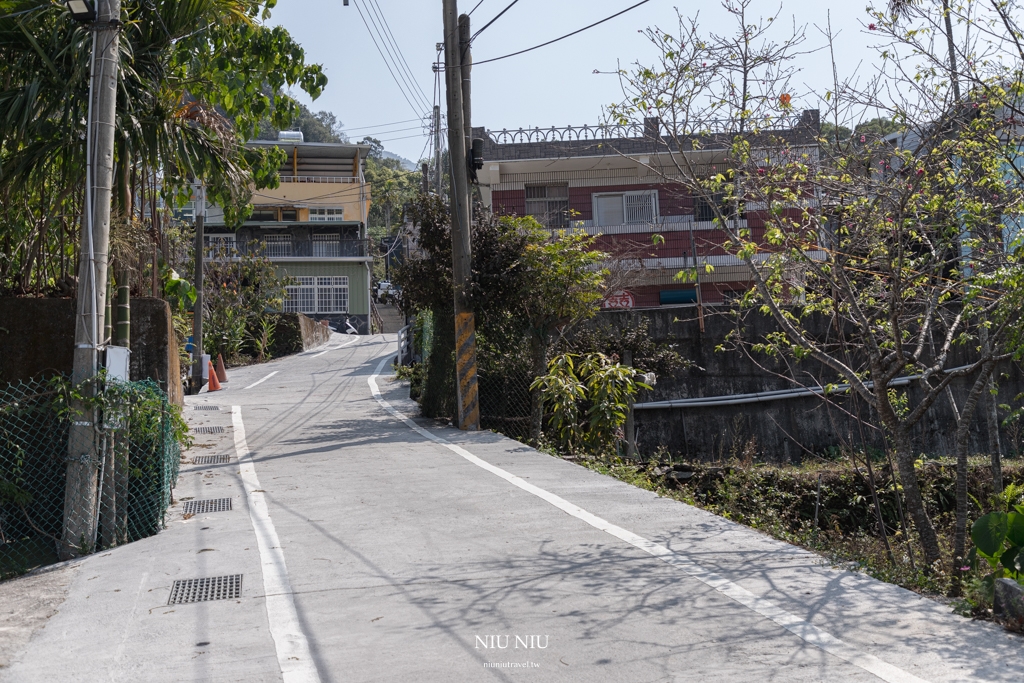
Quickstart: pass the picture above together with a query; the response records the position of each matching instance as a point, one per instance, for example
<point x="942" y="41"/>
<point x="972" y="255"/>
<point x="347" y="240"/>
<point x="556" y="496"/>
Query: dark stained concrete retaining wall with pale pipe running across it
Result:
<point x="782" y="431"/>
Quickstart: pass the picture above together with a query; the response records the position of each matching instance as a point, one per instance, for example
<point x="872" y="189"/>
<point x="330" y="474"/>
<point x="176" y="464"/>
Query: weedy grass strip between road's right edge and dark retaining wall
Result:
<point x="782" y="502"/>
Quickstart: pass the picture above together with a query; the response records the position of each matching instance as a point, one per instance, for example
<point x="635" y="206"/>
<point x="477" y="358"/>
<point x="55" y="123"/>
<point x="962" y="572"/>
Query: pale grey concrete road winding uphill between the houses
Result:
<point x="373" y="547"/>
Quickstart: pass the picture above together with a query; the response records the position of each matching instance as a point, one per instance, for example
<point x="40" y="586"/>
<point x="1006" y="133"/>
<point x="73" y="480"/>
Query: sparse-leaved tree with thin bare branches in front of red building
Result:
<point x="898" y="241"/>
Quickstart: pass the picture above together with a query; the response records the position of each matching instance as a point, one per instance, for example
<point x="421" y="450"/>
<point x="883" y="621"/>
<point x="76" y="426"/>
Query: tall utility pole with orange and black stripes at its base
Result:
<point x="465" y="333"/>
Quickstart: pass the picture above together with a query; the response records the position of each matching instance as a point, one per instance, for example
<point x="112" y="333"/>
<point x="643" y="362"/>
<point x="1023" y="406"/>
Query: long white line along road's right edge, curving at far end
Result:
<point x="795" y="625"/>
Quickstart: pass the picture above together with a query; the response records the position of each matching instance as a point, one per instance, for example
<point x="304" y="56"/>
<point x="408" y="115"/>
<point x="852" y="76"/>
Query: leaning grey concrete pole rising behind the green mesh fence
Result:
<point x="80" y="513"/>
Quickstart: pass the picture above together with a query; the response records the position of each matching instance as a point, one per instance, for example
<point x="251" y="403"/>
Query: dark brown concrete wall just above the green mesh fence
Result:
<point x="37" y="338"/>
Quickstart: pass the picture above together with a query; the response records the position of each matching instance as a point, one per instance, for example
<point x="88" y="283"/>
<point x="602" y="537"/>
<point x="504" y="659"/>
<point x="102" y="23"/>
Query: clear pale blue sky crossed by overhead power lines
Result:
<point x="552" y="87"/>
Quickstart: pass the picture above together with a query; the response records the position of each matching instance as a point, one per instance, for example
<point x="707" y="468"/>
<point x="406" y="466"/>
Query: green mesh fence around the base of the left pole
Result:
<point x="119" y="495"/>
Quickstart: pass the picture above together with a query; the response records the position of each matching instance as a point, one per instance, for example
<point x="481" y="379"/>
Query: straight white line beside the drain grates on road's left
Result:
<point x="296" y="662"/>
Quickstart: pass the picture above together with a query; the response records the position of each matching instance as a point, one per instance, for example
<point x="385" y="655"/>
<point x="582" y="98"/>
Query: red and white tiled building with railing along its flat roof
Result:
<point x="617" y="184"/>
